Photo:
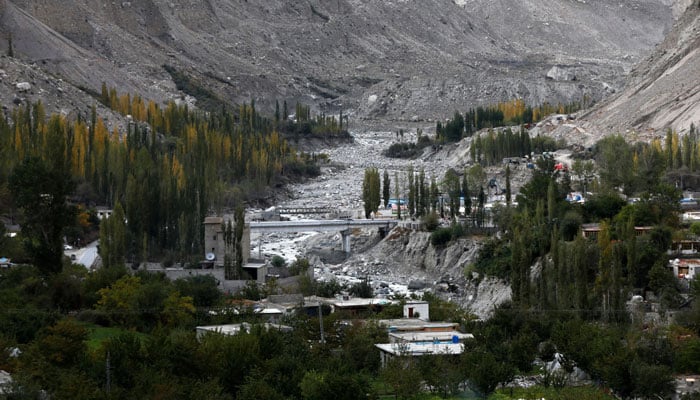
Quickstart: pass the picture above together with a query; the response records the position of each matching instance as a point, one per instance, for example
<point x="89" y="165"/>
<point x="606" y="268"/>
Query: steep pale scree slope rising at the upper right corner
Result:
<point x="662" y="91"/>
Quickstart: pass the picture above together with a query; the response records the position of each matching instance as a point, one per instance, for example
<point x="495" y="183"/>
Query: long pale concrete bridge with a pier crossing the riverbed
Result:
<point x="344" y="226"/>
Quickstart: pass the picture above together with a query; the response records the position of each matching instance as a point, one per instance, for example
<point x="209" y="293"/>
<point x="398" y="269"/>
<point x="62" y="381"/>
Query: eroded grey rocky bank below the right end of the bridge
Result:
<point x="406" y="257"/>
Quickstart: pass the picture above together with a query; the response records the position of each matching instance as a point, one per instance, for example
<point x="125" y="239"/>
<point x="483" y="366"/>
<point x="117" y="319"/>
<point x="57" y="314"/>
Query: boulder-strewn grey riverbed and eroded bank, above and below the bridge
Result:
<point x="402" y="263"/>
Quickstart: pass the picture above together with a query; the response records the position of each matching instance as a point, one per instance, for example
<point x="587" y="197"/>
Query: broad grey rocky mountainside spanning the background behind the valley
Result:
<point x="388" y="60"/>
